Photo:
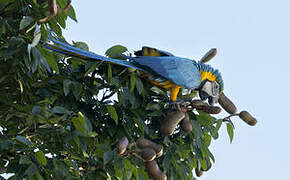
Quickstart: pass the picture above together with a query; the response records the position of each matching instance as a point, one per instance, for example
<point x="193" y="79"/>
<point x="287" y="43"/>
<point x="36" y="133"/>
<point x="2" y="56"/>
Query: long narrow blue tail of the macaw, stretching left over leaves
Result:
<point x="67" y="49"/>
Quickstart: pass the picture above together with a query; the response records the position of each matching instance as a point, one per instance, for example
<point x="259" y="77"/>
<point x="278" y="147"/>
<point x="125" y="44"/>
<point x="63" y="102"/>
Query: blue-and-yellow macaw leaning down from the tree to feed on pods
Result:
<point x="160" y="68"/>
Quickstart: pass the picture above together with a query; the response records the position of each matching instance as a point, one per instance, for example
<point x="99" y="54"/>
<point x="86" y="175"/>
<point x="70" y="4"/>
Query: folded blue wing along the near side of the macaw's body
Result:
<point x="183" y="72"/>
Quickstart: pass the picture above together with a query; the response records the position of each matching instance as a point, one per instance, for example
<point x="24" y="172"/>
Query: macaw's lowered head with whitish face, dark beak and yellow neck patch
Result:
<point x="211" y="84"/>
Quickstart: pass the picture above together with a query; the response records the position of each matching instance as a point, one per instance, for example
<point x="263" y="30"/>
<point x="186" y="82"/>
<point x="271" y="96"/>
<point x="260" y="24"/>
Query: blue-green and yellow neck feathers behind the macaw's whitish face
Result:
<point x="209" y="73"/>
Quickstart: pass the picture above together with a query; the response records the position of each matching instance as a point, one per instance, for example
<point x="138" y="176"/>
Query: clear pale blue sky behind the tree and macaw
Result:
<point x="252" y="38"/>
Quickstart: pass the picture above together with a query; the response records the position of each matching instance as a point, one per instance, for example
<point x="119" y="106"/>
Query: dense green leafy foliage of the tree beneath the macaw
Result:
<point x="62" y="117"/>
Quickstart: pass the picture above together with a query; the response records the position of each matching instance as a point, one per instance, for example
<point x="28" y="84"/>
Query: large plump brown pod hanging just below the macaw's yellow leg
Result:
<point x="171" y="120"/>
